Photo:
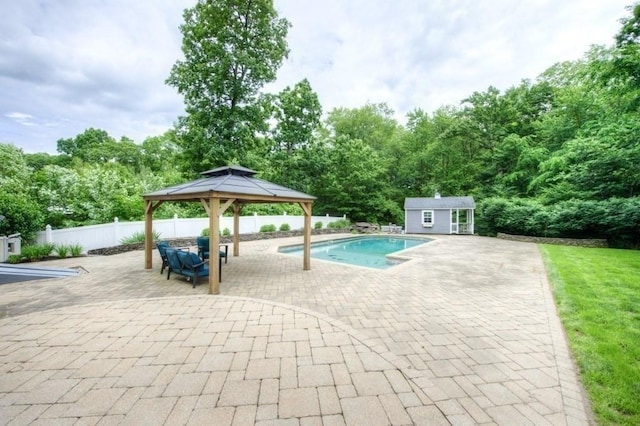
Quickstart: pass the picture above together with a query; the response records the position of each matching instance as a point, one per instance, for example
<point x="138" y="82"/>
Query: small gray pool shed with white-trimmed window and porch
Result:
<point x="439" y="215"/>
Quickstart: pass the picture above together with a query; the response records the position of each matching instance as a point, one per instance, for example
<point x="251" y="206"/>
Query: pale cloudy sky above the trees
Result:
<point x="68" y="65"/>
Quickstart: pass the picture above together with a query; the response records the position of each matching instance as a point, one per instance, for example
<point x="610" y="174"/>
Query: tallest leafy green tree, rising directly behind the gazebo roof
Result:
<point x="231" y="49"/>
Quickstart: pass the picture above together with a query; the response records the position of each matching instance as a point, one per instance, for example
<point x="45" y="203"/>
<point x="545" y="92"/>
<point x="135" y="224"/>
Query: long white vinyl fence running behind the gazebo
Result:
<point x="110" y="234"/>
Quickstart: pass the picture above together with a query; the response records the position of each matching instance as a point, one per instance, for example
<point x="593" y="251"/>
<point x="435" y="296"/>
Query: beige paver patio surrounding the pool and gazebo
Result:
<point x="466" y="332"/>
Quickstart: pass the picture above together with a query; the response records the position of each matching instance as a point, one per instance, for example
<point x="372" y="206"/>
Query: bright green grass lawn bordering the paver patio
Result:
<point x="597" y="292"/>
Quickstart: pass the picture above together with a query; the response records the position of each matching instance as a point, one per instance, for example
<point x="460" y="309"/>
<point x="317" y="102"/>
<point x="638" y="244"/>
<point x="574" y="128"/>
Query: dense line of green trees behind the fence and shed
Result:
<point x="558" y="156"/>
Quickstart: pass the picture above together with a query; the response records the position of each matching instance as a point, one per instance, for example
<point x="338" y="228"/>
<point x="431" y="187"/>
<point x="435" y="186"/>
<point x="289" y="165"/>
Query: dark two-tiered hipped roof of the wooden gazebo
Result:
<point x="230" y="182"/>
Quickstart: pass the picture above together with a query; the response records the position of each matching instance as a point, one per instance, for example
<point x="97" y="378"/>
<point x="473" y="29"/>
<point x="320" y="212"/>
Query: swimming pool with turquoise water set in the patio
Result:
<point x="371" y="252"/>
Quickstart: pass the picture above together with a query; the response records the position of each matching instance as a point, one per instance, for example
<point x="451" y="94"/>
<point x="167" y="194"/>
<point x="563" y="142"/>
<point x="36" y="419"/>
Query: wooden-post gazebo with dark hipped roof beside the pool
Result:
<point x="217" y="190"/>
